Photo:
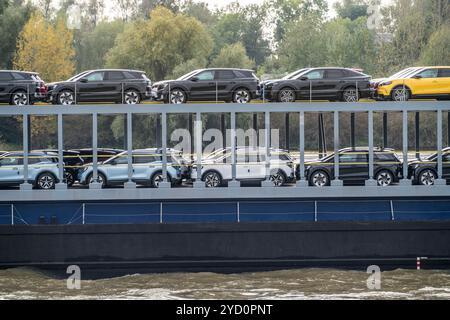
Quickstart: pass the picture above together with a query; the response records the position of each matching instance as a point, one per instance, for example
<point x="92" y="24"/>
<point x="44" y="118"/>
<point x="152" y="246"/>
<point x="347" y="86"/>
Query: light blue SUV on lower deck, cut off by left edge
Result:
<point x="43" y="171"/>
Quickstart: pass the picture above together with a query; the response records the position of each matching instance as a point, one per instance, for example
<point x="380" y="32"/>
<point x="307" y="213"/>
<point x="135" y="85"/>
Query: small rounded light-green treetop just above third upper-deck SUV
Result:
<point x="233" y="56"/>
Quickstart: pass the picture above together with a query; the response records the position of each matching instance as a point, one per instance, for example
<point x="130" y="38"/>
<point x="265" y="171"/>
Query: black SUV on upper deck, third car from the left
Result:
<point x="237" y="85"/>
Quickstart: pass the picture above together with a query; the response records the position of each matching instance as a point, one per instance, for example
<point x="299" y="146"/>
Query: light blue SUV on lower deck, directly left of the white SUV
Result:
<point x="147" y="169"/>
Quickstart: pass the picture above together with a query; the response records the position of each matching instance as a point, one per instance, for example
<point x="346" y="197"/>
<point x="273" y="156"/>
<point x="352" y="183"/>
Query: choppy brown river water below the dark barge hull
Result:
<point x="292" y="285"/>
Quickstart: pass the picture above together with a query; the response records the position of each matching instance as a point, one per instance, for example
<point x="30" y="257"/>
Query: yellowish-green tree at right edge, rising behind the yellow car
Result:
<point x="437" y="52"/>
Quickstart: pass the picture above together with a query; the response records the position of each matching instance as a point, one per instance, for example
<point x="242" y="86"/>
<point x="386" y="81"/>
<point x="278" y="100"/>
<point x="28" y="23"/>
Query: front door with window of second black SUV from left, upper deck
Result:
<point x="92" y="87"/>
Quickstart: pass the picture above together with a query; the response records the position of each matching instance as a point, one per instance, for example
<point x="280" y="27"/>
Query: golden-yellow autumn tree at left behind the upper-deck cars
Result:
<point x="52" y="56"/>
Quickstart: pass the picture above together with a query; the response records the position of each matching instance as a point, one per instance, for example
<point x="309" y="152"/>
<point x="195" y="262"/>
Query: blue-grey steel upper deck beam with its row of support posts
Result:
<point x="232" y="109"/>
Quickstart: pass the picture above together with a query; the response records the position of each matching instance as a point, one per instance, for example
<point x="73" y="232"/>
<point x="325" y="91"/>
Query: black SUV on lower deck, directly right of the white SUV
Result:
<point x="354" y="167"/>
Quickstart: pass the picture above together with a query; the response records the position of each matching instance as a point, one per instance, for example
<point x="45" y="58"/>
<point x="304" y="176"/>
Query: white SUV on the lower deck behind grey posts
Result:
<point x="250" y="165"/>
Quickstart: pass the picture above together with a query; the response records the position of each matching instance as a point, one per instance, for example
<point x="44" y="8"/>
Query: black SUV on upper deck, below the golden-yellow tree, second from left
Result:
<point x="119" y="86"/>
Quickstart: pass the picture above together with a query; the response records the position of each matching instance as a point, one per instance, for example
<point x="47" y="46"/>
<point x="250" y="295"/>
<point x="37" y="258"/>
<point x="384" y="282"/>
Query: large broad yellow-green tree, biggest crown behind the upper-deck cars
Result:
<point x="160" y="44"/>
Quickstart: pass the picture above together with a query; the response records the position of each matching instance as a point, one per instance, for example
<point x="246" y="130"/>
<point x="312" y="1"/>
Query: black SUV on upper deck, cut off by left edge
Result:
<point x="21" y="88"/>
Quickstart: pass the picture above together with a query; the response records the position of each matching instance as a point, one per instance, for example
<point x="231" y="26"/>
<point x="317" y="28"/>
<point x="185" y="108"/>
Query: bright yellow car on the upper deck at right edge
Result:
<point x="426" y="82"/>
